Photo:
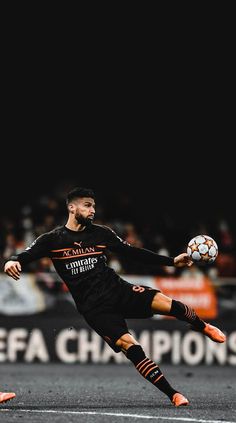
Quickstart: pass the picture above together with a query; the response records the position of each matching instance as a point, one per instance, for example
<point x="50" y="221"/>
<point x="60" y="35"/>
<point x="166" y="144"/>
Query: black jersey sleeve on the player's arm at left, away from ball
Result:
<point x="38" y="249"/>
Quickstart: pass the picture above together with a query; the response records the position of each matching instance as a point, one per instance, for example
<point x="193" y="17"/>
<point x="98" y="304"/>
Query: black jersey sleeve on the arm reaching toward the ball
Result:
<point x="118" y="245"/>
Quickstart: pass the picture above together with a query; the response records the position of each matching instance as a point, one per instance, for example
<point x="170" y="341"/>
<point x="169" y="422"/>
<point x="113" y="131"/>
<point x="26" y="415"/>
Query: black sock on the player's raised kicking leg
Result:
<point x="183" y="312"/>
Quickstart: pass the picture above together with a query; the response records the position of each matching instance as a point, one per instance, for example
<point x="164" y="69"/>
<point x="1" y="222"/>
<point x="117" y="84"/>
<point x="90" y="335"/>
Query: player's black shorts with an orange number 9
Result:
<point x="109" y="319"/>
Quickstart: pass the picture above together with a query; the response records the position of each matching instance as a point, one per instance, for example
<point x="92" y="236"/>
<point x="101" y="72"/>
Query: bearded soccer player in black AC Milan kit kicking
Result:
<point x="78" y="252"/>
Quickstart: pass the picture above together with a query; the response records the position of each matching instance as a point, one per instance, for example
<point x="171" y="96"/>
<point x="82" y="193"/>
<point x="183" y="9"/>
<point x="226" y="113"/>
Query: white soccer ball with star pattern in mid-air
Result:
<point x="203" y="249"/>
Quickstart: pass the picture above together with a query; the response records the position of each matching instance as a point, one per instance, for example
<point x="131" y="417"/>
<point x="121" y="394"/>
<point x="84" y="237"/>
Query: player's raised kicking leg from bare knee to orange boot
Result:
<point x="162" y="304"/>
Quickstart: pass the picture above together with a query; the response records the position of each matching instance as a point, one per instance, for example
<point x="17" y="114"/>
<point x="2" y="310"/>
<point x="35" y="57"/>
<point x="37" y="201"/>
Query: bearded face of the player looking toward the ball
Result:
<point x="84" y="210"/>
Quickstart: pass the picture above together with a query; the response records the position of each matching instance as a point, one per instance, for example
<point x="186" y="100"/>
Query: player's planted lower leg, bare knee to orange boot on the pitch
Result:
<point x="149" y="369"/>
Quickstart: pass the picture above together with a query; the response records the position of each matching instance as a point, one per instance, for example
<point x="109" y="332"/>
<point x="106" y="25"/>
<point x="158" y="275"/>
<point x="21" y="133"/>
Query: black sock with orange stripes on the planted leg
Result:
<point x="149" y="370"/>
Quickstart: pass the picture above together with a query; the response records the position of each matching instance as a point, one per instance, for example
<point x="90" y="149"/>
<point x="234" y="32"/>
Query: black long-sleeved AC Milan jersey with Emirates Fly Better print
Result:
<point x="80" y="259"/>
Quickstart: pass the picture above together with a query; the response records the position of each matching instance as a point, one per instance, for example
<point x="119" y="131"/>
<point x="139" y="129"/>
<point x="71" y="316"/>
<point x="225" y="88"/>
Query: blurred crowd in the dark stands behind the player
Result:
<point x="164" y="234"/>
